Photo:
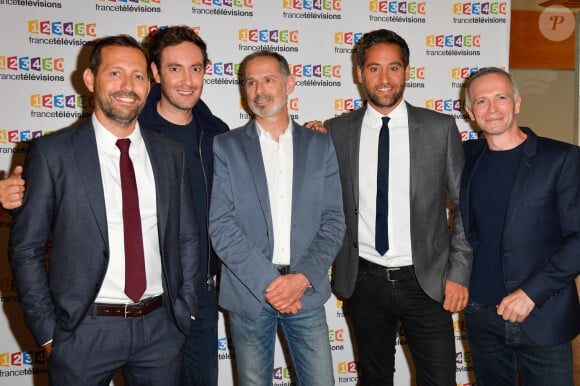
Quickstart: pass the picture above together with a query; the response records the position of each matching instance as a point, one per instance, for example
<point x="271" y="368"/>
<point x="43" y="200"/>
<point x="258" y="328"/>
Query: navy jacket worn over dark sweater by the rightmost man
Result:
<point x="540" y="248"/>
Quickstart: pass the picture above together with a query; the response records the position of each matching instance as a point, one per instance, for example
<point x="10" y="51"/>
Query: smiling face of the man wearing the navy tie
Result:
<point x="383" y="76"/>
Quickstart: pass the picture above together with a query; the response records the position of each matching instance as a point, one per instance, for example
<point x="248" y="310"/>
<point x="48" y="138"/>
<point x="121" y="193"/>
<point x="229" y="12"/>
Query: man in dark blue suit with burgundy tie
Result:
<point x="119" y="291"/>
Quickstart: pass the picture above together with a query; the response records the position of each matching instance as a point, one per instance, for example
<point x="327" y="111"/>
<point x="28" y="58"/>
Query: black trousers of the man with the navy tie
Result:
<point x="376" y="306"/>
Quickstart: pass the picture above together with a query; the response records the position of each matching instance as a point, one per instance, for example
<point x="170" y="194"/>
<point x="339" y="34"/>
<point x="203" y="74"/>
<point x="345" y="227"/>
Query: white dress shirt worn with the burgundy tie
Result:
<point x="113" y="287"/>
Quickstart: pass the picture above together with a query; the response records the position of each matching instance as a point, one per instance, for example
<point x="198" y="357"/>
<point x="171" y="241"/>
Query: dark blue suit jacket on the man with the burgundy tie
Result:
<point x="64" y="200"/>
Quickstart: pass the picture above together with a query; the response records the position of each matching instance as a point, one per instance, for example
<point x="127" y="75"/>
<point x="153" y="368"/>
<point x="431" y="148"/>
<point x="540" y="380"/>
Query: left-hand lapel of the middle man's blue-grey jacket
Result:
<point x="251" y="143"/>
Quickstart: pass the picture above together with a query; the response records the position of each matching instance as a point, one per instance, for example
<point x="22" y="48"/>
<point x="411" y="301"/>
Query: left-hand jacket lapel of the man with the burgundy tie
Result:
<point x="86" y="154"/>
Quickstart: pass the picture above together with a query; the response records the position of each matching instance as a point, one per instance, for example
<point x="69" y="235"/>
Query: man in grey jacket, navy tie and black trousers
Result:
<point x="398" y="261"/>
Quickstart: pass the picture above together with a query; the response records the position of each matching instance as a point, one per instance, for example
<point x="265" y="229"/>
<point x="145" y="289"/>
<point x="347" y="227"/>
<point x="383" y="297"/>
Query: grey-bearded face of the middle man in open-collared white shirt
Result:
<point x="267" y="89"/>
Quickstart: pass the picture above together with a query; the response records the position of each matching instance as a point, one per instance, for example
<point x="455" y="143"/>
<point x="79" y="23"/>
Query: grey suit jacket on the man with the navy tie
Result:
<point x="436" y="164"/>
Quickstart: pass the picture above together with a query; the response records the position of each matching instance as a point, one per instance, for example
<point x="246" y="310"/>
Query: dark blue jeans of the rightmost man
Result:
<point x="501" y="350"/>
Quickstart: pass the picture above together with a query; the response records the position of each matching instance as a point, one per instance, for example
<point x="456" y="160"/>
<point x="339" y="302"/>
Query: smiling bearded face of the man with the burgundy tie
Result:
<point x="120" y="87"/>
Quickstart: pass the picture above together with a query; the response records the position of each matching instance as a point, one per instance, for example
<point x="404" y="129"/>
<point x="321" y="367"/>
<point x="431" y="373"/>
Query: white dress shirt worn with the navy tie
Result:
<point x="399" y="219"/>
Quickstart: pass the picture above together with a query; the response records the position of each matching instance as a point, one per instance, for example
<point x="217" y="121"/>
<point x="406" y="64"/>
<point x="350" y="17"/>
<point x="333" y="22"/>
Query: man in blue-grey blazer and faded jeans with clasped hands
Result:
<point x="276" y="222"/>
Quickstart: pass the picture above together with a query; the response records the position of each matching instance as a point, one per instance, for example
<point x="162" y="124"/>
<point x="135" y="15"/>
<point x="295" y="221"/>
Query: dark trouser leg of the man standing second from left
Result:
<point x="200" y="359"/>
